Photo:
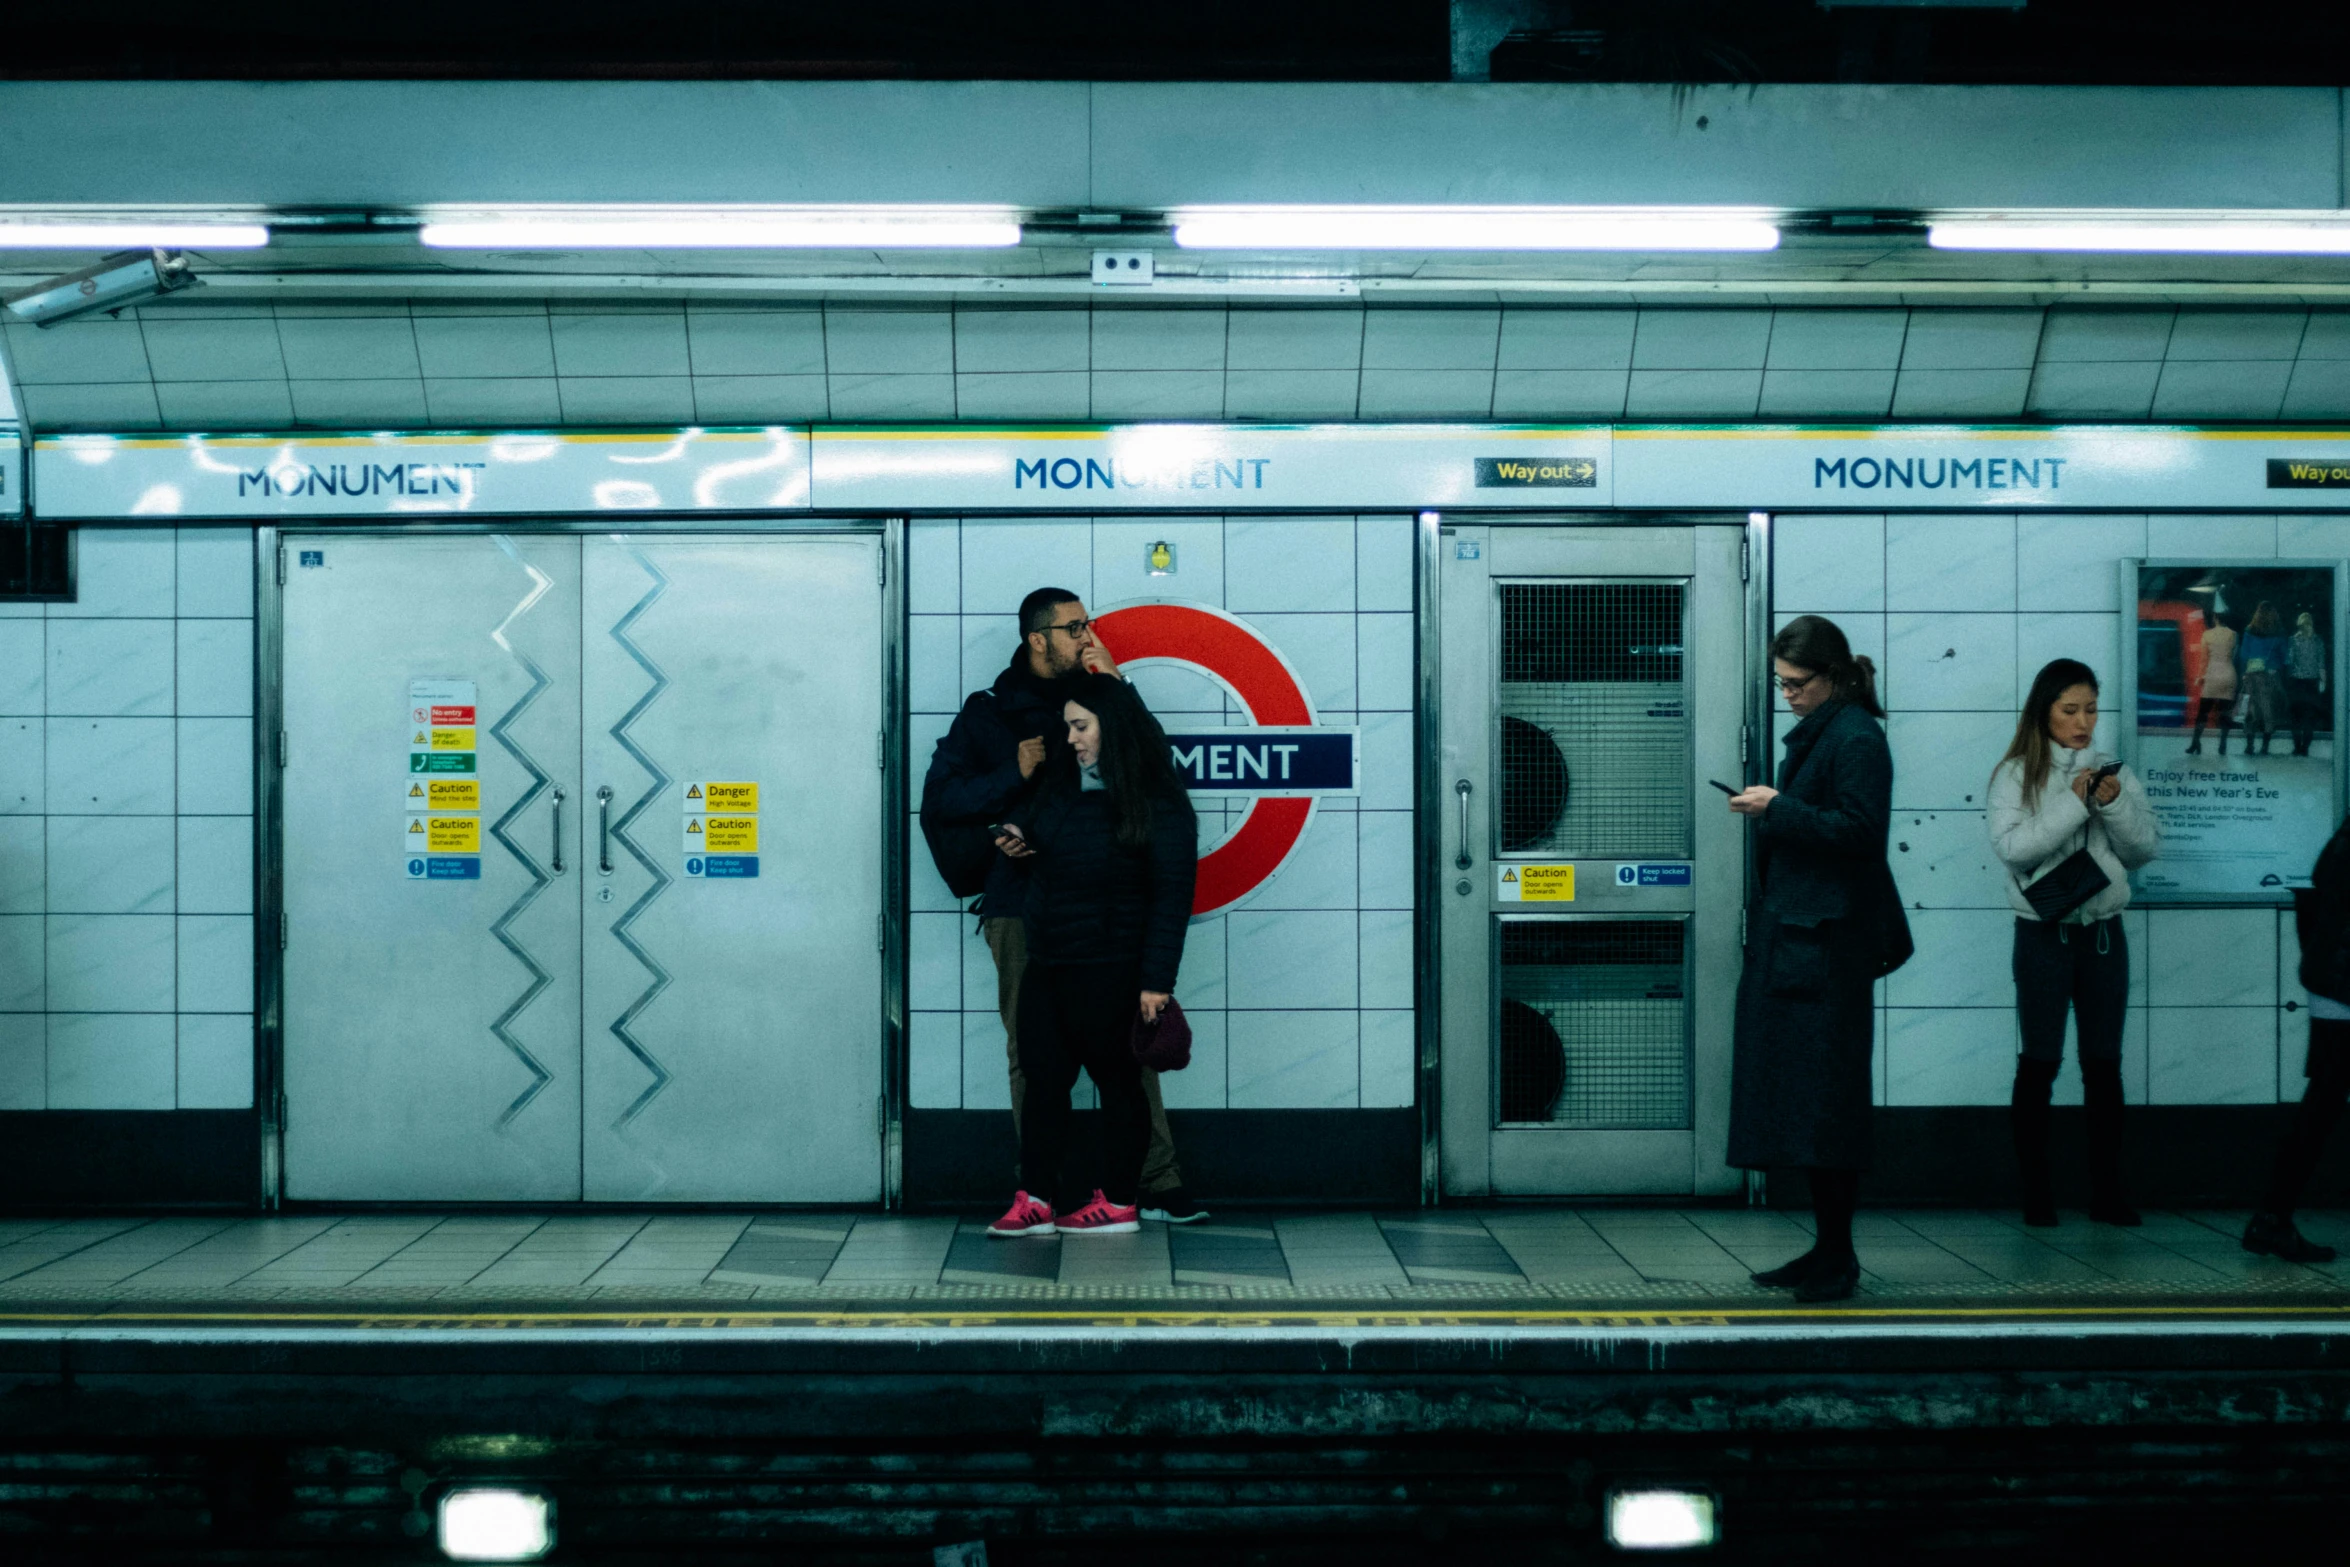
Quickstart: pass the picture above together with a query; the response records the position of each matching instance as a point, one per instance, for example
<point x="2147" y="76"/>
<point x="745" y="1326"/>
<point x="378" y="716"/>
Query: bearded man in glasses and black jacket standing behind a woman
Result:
<point x="983" y="767"/>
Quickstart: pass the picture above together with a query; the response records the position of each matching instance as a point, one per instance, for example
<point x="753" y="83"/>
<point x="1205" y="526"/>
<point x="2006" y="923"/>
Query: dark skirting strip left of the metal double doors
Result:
<point x="130" y="1159"/>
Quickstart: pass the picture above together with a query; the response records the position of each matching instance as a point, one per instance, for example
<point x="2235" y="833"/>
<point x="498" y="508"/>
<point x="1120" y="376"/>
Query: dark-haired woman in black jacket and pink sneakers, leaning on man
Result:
<point x="1117" y="852"/>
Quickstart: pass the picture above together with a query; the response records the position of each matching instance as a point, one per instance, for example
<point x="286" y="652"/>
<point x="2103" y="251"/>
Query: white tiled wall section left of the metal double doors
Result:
<point x="128" y="833"/>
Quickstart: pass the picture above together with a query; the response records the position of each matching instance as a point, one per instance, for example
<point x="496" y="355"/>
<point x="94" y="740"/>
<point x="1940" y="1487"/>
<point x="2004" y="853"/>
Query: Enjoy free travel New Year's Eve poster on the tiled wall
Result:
<point x="2236" y="673"/>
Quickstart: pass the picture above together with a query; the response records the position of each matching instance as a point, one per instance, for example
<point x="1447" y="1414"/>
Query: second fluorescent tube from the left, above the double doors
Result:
<point x="694" y="234"/>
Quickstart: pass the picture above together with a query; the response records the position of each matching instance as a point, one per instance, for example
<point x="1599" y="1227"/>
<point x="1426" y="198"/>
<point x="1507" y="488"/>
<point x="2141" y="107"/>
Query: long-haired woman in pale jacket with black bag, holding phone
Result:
<point x="2055" y="798"/>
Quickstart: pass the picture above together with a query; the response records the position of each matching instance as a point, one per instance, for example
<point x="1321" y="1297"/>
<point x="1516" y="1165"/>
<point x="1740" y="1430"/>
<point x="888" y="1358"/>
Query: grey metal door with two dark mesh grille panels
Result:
<point x="1592" y="880"/>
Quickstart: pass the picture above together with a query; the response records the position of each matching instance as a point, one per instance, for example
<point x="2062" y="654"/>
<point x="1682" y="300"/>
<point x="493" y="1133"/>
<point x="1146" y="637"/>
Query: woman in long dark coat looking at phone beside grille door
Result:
<point x="1825" y="929"/>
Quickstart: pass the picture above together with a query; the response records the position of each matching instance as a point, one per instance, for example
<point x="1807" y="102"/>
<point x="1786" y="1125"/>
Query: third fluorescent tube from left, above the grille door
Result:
<point x="1470" y="229"/>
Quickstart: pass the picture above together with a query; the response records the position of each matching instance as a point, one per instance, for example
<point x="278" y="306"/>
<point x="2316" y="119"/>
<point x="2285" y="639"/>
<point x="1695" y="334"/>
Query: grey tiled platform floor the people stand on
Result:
<point x="1505" y="1256"/>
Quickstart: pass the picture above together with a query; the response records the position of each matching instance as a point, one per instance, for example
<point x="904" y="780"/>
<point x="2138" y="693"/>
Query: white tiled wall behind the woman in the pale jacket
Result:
<point x="1961" y="612"/>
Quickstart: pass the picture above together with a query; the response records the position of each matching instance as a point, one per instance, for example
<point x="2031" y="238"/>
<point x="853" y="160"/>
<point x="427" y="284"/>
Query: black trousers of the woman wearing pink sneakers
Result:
<point x="1082" y="1016"/>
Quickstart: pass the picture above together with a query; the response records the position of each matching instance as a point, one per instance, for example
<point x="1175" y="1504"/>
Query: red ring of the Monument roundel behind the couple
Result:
<point x="1233" y="654"/>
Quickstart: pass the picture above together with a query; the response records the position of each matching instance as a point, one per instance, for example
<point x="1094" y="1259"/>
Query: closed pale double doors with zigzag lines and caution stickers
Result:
<point x="584" y="1007"/>
